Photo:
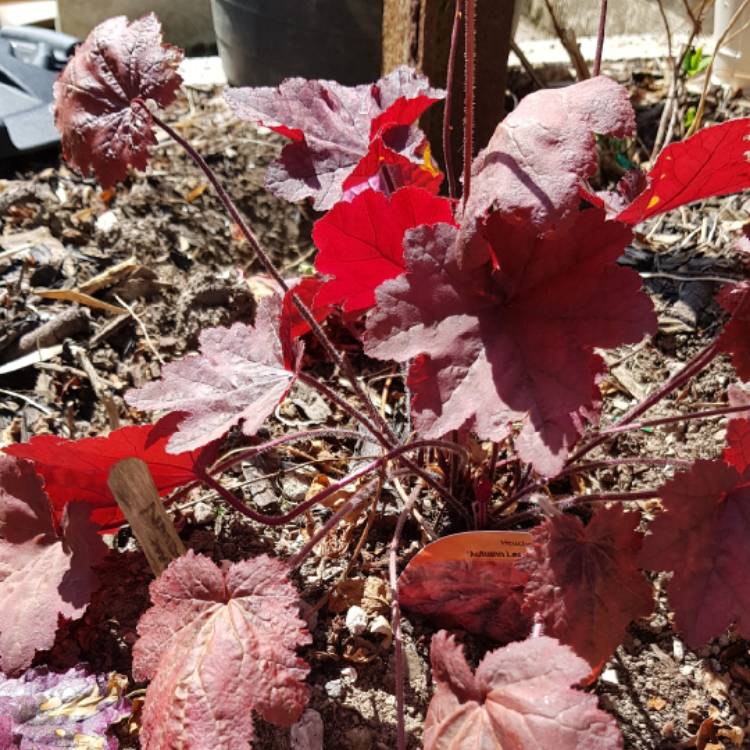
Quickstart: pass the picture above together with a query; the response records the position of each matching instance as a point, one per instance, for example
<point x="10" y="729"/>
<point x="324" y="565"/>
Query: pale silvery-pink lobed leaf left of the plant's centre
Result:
<point x="239" y="375"/>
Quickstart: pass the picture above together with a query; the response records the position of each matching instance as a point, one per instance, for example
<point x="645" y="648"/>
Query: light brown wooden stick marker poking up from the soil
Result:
<point x="136" y="494"/>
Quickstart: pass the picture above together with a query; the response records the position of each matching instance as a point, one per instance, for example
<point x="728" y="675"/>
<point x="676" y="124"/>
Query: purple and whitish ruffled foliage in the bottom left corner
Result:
<point x="47" y="711"/>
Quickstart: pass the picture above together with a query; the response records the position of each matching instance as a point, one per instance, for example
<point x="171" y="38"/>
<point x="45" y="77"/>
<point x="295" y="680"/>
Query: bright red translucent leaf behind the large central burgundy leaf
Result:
<point x="360" y="244"/>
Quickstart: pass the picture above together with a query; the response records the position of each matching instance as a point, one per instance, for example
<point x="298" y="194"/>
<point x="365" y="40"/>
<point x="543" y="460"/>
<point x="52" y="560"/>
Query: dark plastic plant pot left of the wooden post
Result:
<point x="262" y="42"/>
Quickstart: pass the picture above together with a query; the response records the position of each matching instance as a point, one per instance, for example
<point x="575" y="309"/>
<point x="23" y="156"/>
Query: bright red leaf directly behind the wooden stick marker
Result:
<point x="79" y="469"/>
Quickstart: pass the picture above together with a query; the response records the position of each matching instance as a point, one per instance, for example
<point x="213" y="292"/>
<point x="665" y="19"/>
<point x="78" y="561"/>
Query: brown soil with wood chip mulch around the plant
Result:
<point x="189" y="271"/>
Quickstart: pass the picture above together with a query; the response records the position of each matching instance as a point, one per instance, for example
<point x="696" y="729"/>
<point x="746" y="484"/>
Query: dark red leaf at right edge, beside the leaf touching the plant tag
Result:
<point x="702" y="536"/>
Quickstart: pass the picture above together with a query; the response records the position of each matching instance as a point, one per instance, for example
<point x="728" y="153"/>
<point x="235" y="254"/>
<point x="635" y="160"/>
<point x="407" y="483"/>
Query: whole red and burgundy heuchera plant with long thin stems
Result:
<point x="495" y="305"/>
